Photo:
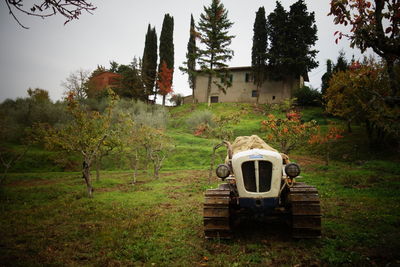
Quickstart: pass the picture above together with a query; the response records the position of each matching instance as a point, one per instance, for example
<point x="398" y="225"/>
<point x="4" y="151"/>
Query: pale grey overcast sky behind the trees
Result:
<point x="44" y="55"/>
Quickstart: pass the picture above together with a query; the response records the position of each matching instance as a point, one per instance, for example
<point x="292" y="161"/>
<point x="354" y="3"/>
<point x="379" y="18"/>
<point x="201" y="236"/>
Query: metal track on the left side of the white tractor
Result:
<point x="216" y="214"/>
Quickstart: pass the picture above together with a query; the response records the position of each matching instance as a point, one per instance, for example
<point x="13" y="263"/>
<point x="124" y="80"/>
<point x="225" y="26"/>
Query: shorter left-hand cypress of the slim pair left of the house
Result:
<point x="149" y="62"/>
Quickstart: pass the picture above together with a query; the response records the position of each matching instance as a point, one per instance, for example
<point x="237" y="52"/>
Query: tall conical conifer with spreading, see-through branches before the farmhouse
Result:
<point x="213" y="32"/>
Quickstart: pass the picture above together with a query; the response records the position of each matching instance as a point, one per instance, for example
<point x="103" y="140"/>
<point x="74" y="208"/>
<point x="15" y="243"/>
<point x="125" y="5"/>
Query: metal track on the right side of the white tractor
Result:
<point x="306" y="211"/>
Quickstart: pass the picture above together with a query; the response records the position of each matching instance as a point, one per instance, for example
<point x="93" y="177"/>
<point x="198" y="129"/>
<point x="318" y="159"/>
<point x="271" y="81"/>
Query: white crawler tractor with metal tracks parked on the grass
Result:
<point x="260" y="181"/>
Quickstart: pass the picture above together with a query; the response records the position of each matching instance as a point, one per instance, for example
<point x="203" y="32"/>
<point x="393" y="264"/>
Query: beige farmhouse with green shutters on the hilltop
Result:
<point x="243" y="89"/>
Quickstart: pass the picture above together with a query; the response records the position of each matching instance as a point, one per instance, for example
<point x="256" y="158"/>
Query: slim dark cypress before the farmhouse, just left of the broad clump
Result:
<point x="259" y="49"/>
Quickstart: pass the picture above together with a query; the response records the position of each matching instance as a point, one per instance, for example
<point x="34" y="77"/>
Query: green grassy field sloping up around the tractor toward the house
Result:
<point x="46" y="218"/>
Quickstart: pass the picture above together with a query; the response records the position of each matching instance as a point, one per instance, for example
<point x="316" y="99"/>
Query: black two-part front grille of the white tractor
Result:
<point x="257" y="182"/>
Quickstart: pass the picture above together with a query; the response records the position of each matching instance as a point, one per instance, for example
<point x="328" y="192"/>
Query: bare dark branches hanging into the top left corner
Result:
<point x="70" y="9"/>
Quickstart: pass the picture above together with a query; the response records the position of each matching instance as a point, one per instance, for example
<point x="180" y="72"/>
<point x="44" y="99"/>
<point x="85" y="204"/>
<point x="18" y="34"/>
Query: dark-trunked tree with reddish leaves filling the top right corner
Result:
<point x="376" y="25"/>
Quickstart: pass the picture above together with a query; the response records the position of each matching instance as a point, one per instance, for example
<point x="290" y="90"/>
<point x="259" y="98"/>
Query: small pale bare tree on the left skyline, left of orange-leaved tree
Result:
<point x="76" y="83"/>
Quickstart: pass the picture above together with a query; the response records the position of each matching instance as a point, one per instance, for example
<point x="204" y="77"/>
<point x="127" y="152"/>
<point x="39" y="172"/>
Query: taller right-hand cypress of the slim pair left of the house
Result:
<point x="167" y="46"/>
